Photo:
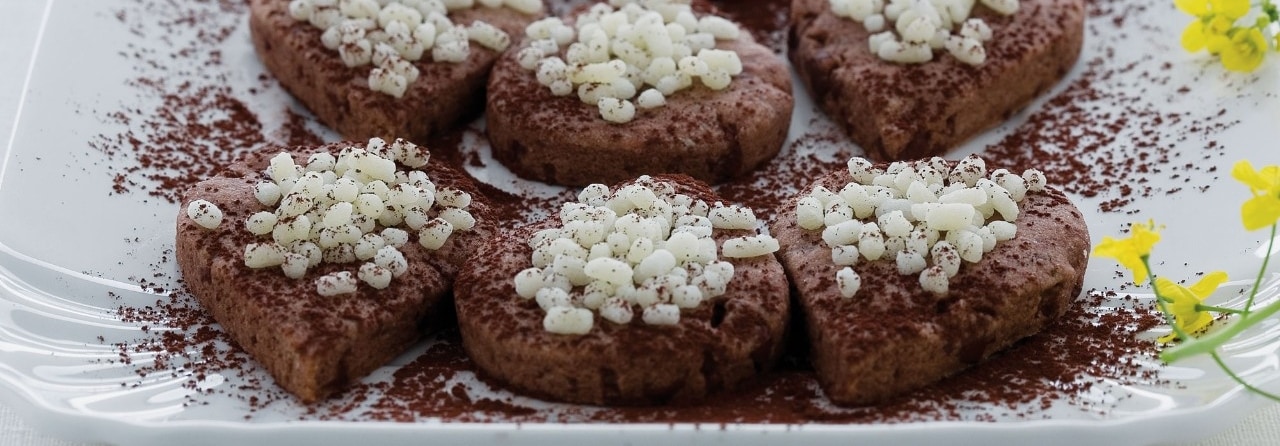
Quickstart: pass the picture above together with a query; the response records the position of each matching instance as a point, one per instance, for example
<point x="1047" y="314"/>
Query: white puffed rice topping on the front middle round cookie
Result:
<point x="642" y="251"/>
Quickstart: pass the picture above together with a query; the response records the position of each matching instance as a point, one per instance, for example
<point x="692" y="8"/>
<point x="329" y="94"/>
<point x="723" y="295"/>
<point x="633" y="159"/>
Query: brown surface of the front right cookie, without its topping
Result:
<point x="894" y="336"/>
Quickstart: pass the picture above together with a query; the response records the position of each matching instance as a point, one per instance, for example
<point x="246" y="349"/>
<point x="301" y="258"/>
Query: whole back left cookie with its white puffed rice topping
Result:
<point x="440" y="94"/>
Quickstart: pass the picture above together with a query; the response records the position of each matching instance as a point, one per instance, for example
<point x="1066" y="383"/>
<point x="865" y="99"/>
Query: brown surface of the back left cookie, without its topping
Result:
<point x="445" y="97"/>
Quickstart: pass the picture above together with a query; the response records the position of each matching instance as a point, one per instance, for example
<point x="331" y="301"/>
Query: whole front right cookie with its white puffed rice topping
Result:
<point x="880" y="329"/>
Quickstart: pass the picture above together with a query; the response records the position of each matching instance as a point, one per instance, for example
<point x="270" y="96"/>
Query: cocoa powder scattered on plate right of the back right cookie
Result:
<point x="1107" y="135"/>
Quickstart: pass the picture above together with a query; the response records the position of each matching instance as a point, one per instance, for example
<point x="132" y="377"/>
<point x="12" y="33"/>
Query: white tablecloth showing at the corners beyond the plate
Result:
<point x="20" y="29"/>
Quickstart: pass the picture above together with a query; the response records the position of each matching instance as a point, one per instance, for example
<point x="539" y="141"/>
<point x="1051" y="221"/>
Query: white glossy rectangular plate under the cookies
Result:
<point x="77" y="240"/>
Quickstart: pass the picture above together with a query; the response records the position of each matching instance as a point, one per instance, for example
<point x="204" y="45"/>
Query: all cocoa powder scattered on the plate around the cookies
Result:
<point x="203" y="124"/>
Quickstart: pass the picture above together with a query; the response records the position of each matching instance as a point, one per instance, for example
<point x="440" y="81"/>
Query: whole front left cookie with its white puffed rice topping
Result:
<point x="313" y="286"/>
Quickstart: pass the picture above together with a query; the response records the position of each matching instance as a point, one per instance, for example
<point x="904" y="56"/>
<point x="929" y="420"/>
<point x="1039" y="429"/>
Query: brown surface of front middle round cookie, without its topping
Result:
<point x="715" y="347"/>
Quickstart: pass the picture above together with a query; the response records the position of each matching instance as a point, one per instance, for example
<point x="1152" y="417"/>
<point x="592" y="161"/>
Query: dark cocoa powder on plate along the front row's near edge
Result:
<point x="1055" y="366"/>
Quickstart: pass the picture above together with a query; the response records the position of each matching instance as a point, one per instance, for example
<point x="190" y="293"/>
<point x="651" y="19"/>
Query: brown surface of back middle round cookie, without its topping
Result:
<point x="710" y="135"/>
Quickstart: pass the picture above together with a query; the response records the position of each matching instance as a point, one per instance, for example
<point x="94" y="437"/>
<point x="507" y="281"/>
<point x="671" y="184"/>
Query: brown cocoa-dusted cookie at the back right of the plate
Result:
<point x="909" y="111"/>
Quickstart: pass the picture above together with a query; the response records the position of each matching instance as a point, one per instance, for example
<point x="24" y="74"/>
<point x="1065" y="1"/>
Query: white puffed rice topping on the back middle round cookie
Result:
<point x="624" y="54"/>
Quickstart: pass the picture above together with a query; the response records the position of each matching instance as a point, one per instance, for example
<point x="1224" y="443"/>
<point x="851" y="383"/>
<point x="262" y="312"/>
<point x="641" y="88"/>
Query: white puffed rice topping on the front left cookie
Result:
<point x="330" y="211"/>
